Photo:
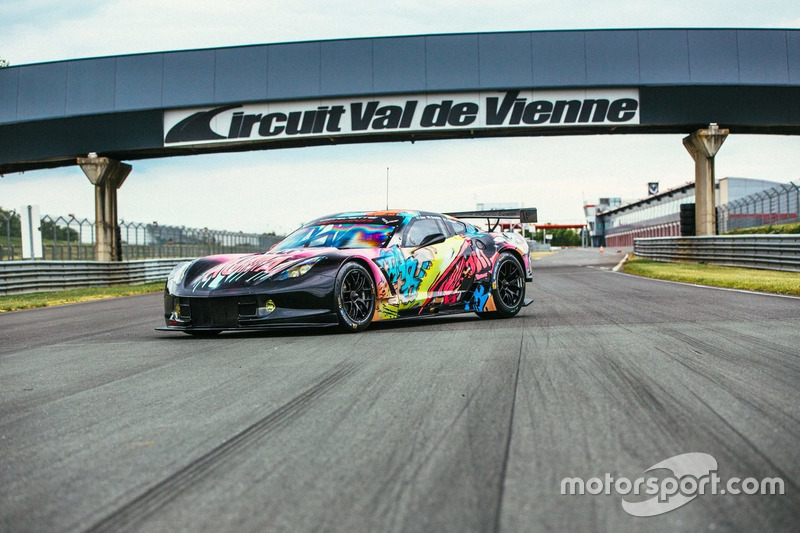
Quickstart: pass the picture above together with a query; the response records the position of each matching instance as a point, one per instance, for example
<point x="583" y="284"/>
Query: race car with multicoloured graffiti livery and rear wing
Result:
<point x="350" y="269"/>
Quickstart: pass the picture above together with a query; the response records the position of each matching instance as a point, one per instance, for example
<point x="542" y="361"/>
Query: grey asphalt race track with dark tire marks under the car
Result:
<point x="449" y="424"/>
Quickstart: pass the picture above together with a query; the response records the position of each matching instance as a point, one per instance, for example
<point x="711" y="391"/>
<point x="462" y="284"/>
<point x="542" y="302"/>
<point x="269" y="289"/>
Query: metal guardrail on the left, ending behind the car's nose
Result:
<point x="18" y="277"/>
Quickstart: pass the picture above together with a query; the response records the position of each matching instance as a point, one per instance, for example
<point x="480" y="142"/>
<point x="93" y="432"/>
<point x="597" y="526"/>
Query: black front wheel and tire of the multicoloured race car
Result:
<point x="355" y="295"/>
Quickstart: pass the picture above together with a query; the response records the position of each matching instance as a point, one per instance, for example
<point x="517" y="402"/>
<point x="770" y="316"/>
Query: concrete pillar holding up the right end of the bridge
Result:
<point x="703" y="145"/>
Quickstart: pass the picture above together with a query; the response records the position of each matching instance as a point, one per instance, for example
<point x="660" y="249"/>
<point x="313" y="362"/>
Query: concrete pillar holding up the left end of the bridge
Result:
<point x="107" y="175"/>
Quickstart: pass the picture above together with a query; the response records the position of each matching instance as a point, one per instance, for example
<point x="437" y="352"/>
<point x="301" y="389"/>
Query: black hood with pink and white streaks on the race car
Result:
<point x="238" y="271"/>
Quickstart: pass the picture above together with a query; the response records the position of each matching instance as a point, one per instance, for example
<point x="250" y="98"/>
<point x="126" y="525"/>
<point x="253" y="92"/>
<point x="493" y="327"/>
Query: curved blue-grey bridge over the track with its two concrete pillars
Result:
<point x="99" y="112"/>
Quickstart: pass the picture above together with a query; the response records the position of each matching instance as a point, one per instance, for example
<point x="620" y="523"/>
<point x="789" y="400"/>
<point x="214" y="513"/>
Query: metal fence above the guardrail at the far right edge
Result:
<point x="778" y="205"/>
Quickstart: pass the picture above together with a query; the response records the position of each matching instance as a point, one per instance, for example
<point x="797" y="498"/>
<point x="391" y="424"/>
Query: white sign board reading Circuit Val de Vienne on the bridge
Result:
<point x="240" y="123"/>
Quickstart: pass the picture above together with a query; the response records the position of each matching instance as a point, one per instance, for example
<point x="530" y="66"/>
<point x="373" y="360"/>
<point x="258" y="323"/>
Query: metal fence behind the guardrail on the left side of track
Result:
<point x="73" y="239"/>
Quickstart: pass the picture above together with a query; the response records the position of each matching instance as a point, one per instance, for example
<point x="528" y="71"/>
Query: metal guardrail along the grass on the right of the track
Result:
<point x="771" y="252"/>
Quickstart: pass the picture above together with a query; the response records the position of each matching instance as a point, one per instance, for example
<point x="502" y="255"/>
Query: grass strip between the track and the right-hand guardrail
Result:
<point x="718" y="276"/>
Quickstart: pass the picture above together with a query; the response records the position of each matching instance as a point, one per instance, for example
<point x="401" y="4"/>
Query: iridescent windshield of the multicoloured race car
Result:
<point x="339" y="235"/>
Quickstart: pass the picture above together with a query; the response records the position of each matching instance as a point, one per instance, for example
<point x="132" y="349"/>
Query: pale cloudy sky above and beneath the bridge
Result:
<point x="278" y="190"/>
